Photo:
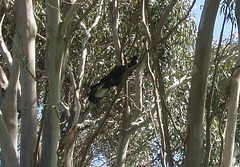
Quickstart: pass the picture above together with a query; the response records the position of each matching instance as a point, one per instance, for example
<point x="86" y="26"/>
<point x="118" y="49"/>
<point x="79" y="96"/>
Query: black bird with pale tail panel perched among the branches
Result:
<point x="114" y="78"/>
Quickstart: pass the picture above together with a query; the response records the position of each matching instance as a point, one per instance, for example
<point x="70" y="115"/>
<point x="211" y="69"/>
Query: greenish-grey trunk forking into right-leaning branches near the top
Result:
<point x="58" y="37"/>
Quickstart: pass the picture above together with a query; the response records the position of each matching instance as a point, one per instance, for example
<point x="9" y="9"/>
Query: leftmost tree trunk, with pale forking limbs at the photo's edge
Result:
<point x="8" y="105"/>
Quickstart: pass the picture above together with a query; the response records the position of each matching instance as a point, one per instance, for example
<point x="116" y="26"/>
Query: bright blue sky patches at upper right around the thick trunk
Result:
<point x="198" y="10"/>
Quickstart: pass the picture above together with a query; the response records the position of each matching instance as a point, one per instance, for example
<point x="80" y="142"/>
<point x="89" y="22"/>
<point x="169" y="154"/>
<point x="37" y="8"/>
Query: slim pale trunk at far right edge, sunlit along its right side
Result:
<point x="227" y="156"/>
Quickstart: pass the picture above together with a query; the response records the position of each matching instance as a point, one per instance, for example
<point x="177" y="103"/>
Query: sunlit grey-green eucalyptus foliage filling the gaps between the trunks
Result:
<point x="175" y="56"/>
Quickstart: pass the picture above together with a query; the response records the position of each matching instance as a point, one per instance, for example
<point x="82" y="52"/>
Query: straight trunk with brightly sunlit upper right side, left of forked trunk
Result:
<point x="26" y="32"/>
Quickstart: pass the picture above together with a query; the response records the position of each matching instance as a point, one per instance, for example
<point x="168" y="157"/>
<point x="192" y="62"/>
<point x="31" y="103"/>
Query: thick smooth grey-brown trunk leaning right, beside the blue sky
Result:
<point x="194" y="148"/>
